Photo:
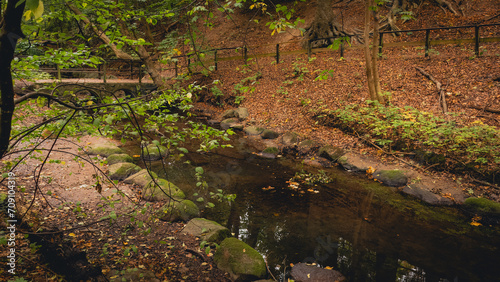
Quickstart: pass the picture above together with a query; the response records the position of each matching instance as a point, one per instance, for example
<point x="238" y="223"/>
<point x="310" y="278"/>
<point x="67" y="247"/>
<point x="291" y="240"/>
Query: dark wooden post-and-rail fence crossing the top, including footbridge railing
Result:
<point x="187" y="59"/>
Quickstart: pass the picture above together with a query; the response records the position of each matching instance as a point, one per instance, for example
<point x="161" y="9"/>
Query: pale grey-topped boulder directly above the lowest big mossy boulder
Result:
<point x="207" y="230"/>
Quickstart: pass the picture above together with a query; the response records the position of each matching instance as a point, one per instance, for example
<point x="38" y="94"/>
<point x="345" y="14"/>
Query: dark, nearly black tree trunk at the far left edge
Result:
<point x="10" y="32"/>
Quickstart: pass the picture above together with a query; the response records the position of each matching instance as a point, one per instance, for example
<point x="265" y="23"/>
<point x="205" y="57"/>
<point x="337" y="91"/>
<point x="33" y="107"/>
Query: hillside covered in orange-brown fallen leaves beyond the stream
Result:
<point x="289" y="96"/>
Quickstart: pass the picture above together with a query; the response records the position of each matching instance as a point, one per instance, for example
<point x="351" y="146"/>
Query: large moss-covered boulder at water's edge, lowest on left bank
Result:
<point x="241" y="261"/>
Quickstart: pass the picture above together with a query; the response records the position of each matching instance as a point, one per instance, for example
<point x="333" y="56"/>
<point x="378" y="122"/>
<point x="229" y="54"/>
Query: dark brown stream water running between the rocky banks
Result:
<point x="366" y="231"/>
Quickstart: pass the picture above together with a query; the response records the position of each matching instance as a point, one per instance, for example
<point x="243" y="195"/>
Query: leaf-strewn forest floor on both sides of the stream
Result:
<point x="282" y="100"/>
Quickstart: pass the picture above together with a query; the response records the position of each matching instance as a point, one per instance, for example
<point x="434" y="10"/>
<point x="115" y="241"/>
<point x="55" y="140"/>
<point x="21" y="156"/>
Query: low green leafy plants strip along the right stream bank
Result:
<point x="476" y="144"/>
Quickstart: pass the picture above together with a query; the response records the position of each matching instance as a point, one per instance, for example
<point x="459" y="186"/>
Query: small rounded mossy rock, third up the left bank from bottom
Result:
<point x="179" y="211"/>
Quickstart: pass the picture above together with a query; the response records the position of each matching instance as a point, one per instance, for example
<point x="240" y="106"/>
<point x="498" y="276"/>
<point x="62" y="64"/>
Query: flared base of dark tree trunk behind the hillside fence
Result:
<point x="325" y="25"/>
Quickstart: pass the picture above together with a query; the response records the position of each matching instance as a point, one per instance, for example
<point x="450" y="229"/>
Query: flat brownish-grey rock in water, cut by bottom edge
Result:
<point x="302" y="272"/>
